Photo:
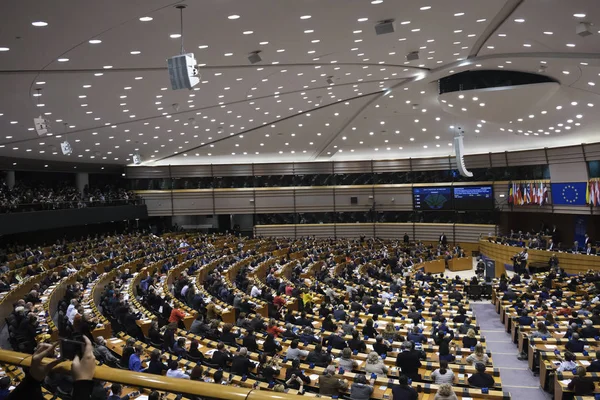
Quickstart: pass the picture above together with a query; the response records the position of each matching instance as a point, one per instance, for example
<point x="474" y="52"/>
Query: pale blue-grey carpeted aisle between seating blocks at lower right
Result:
<point x="516" y="377"/>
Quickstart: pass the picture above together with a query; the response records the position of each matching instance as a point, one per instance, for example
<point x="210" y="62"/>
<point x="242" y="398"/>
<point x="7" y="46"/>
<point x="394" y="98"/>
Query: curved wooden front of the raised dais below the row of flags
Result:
<point x="572" y="263"/>
